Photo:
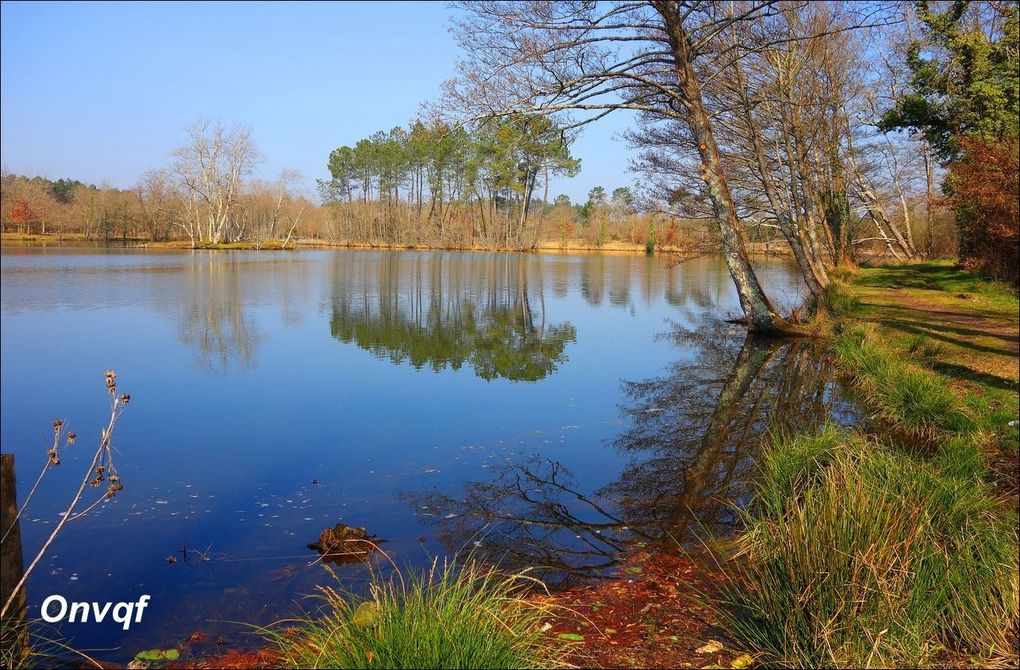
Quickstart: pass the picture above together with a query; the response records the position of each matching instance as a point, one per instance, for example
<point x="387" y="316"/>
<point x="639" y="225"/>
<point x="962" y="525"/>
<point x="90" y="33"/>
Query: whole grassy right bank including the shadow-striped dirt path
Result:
<point x="895" y="544"/>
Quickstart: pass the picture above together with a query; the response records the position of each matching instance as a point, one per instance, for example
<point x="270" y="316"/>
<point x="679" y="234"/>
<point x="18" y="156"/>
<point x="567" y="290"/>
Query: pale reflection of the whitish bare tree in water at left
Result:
<point x="215" y="321"/>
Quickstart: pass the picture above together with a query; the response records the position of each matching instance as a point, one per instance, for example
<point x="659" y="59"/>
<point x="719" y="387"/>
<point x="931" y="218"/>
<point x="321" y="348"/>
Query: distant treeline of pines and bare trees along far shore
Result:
<point x="432" y="185"/>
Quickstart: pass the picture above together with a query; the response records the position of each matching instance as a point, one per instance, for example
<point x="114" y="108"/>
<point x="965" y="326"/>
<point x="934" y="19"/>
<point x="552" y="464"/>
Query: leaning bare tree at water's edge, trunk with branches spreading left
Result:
<point x="593" y="59"/>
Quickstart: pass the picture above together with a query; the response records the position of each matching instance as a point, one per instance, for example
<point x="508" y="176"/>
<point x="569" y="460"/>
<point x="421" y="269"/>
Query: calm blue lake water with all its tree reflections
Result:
<point x="539" y="410"/>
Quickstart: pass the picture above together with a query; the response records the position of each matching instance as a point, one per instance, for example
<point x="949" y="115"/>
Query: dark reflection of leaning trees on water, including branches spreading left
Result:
<point x="693" y="436"/>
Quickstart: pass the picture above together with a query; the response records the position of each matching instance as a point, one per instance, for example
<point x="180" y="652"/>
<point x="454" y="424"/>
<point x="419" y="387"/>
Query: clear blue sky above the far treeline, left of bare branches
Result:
<point x="104" y="91"/>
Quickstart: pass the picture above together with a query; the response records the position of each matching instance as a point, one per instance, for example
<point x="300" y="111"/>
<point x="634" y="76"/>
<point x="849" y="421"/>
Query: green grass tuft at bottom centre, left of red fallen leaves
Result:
<point x="453" y="616"/>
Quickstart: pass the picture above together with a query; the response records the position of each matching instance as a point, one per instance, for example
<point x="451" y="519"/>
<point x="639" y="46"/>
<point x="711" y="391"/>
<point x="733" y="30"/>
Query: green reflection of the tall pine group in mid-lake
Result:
<point x="437" y="313"/>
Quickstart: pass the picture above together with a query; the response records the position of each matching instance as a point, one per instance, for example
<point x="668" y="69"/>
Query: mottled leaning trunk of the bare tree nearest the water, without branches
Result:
<point x="758" y="310"/>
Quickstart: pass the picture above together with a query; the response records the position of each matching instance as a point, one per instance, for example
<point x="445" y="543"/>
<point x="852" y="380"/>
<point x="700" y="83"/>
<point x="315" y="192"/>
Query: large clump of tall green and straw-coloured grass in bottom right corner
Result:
<point x="857" y="556"/>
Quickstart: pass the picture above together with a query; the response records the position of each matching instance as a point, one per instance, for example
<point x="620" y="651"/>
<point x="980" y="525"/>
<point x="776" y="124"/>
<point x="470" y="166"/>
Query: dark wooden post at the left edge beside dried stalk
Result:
<point x="12" y="565"/>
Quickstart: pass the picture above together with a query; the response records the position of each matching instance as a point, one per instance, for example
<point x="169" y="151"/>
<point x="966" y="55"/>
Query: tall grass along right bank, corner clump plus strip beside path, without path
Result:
<point x="889" y="550"/>
